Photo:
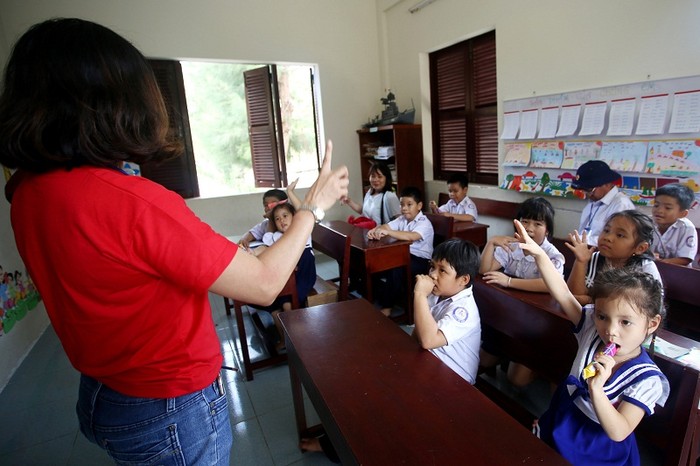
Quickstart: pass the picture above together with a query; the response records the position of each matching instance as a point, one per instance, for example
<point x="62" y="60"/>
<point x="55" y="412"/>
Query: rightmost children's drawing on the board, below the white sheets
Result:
<point x="674" y="158"/>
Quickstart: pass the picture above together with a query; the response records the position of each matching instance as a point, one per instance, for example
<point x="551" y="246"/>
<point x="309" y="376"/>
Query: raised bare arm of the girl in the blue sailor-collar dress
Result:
<point x="551" y="276"/>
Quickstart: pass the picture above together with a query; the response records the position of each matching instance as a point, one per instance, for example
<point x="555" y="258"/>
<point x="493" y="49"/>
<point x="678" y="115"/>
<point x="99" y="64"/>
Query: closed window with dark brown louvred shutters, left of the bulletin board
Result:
<point x="464" y="108"/>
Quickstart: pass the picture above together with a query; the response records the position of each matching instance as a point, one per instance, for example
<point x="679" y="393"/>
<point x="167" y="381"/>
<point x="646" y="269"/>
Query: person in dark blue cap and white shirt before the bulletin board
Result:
<point x="598" y="181"/>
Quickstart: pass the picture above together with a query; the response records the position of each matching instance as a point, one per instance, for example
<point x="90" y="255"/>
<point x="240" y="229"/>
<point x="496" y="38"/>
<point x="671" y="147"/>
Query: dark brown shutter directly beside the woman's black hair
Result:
<point x="178" y="174"/>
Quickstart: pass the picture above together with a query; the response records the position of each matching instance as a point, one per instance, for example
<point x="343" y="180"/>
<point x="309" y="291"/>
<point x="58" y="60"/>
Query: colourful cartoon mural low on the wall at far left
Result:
<point x="18" y="295"/>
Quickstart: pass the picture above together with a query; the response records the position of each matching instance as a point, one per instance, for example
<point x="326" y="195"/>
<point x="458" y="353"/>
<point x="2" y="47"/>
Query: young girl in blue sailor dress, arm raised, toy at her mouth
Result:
<point x="592" y="422"/>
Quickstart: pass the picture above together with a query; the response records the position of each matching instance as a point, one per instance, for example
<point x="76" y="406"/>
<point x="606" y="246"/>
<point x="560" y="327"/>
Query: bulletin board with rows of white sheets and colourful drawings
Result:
<point x="649" y="132"/>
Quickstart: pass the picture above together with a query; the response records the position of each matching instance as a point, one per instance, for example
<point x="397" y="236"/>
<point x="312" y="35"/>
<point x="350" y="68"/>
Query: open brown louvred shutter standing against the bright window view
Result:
<point x="264" y="127"/>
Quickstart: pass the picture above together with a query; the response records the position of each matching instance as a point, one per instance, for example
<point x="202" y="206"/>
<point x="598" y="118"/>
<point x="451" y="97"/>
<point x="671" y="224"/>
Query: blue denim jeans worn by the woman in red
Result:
<point x="192" y="429"/>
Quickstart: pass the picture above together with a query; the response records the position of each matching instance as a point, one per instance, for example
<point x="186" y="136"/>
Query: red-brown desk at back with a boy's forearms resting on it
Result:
<point x="371" y="256"/>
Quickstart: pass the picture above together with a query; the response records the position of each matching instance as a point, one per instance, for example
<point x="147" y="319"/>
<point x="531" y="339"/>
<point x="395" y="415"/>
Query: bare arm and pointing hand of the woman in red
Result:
<point x="259" y="280"/>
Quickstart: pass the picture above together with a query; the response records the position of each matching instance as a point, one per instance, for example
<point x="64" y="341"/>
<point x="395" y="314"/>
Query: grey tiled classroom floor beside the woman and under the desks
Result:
<point x="38" y="424"/>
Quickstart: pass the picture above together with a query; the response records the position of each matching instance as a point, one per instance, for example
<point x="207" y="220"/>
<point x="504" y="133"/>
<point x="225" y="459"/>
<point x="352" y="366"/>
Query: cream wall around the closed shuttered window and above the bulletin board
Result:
<point x="543" y="47"/>
